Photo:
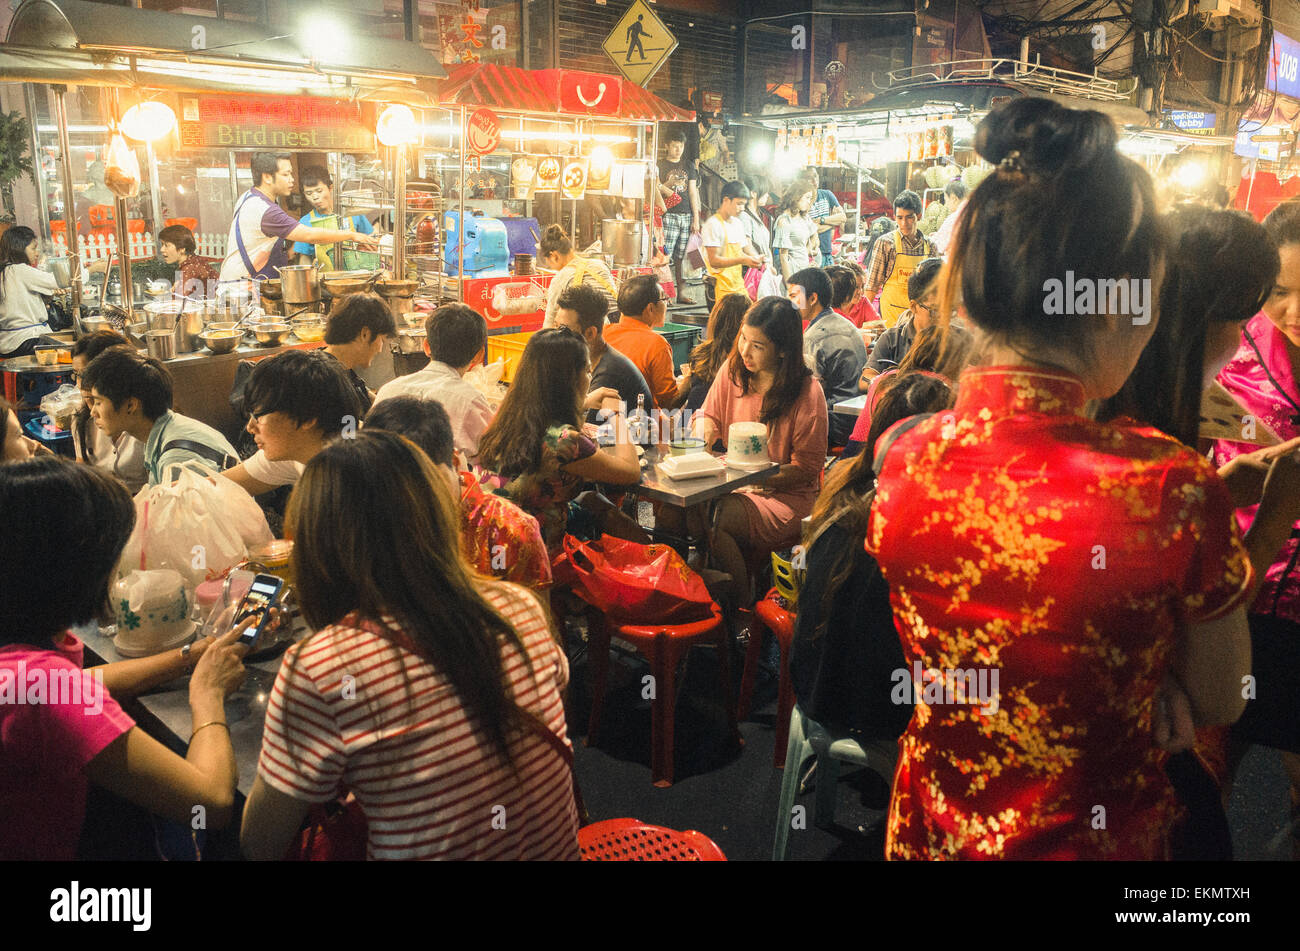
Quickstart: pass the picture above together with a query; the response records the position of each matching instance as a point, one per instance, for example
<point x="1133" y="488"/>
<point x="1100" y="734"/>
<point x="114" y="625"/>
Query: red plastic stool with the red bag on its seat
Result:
<point x="664" y="646"/>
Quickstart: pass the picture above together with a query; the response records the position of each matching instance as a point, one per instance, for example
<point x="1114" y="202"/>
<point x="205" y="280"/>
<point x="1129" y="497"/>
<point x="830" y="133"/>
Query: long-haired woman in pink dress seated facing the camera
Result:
<point x="768" y="381"/>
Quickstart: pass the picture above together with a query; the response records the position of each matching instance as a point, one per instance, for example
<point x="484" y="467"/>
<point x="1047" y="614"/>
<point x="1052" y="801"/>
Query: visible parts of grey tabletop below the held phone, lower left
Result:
<point x="168" y="706"/>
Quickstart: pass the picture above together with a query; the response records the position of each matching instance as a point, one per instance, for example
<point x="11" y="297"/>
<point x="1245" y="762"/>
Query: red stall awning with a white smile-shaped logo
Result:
<point x="556" y="92"/>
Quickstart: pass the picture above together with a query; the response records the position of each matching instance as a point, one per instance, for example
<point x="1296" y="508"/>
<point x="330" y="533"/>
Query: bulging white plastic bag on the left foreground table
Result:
<point x="202" y="526"/>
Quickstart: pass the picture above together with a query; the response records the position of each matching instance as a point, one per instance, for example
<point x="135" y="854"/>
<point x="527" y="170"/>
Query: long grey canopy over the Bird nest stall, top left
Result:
<point x="96" y="44"/>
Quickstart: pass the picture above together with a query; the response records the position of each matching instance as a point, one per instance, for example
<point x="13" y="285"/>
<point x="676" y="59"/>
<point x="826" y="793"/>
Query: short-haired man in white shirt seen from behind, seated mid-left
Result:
<point x="456" y="341"/>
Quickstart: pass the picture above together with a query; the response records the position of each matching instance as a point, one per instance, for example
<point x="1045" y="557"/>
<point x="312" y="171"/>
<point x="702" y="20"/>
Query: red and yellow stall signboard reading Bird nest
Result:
<point x="280" y="124"/>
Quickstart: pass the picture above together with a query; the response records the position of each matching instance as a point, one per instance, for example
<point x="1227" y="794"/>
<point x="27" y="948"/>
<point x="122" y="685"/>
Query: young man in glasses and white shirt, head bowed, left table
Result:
<point x="298" y="403"/>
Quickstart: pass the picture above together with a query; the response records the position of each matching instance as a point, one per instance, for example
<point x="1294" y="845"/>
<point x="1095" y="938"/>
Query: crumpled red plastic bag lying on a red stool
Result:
<point x="638" y="584"/>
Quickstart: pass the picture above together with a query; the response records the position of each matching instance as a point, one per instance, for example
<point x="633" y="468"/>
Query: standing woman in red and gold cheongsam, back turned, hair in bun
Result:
<point x="1077" y="588"/>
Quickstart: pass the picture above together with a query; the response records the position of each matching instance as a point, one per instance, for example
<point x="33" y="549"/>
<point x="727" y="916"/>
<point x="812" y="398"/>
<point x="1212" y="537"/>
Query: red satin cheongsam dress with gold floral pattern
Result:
<point x="1067" y="557"/>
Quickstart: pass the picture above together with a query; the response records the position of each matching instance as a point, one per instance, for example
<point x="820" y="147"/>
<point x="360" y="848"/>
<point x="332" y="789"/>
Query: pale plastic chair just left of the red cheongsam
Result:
<point x="809" y="739"/>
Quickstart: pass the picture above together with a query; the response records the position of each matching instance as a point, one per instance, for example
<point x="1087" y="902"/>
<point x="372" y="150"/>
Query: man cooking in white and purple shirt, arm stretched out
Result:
<point x="261" y="227"/>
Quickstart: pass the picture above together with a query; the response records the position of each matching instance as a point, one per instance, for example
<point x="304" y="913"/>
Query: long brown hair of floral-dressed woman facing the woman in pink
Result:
<point x="544" y="394"/>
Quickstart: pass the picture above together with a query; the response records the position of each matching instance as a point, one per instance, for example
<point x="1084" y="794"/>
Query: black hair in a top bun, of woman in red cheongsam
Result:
<point x="1063" y="198"/>
